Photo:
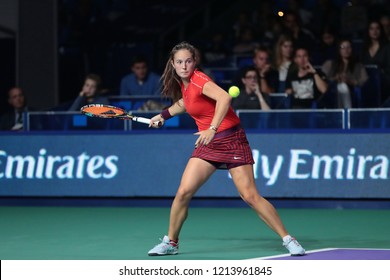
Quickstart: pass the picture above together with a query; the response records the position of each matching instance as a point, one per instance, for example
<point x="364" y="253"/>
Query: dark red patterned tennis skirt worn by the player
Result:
<point x="229" y="148"/>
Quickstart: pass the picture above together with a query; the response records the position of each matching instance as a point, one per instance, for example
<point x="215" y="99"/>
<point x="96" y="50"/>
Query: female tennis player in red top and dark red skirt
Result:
<point x="221" y="144"/>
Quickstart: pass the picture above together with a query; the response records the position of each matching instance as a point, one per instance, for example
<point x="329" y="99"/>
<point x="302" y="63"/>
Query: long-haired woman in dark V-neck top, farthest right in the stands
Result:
<point x="376" y="51"/>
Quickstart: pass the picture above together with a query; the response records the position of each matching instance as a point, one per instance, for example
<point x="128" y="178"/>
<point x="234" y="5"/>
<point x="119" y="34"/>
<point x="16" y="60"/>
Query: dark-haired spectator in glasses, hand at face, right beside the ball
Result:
<point x="250" y="96"/>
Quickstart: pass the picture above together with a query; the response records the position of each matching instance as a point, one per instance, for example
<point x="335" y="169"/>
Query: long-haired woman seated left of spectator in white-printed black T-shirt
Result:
<point x="283" y="59"/>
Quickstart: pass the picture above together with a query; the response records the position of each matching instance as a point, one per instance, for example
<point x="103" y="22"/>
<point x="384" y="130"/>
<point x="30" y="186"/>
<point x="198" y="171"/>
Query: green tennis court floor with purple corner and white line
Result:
<point x="127" y="233"/>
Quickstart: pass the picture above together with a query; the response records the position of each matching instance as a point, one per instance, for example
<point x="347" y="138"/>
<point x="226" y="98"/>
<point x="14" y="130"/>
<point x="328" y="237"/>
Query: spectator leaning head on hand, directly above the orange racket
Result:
<point x="89" y="94"/>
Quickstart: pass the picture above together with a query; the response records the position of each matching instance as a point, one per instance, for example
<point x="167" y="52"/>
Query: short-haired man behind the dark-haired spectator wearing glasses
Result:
<point x="268" y="76"/>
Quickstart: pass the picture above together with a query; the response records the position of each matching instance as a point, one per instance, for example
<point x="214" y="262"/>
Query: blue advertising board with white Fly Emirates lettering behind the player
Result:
<point x="303" y="165"/>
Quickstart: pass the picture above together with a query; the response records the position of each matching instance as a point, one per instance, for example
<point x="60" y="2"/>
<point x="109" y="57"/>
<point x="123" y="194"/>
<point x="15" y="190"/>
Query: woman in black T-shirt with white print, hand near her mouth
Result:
<point x="305" y="84"/>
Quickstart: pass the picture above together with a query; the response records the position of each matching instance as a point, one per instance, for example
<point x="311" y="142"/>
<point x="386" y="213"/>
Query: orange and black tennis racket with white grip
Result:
<point x="108" y="111"/>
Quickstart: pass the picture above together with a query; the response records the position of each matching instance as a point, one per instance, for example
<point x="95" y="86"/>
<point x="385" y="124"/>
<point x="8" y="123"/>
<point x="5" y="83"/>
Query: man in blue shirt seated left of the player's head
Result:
<point x="141" y="81"/>
